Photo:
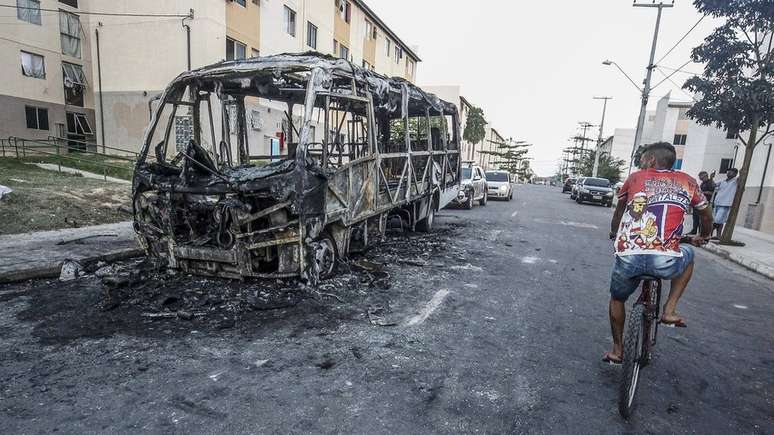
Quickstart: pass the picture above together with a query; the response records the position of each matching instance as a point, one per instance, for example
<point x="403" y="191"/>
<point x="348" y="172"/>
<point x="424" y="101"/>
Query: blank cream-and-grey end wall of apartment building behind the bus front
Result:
<point x="140" y="56"/>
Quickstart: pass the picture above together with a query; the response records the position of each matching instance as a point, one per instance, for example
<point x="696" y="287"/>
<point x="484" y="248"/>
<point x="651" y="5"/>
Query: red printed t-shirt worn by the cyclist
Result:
<point x="656" y="204"/>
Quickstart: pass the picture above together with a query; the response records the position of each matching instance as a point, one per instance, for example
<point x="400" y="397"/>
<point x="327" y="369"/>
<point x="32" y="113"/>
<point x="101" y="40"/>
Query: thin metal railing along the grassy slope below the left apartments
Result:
<point x="66" y="151"/>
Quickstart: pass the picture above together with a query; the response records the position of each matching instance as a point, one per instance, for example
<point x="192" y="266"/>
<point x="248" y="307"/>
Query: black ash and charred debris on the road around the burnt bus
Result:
<point x="362" y="282"/>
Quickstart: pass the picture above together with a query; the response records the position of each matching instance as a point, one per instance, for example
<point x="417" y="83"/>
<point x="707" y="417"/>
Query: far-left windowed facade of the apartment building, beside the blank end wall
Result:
<point x="47" y="87"/>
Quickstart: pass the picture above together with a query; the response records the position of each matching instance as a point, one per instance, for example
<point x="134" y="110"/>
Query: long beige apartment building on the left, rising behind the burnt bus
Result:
<point x="119" y="54"/>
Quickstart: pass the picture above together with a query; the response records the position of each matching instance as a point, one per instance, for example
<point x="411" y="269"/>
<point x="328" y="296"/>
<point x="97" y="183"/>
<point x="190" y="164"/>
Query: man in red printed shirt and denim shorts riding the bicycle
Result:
<point x="647" y="227"/>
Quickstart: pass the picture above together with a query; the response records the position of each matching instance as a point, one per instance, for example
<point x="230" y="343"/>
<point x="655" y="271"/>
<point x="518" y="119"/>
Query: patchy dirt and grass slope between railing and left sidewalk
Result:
<point x="48" y="200"/>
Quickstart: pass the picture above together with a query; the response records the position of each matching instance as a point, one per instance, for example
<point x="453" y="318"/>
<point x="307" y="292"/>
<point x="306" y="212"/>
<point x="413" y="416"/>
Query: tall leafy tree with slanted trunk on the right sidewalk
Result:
<point x="736" y="91"/>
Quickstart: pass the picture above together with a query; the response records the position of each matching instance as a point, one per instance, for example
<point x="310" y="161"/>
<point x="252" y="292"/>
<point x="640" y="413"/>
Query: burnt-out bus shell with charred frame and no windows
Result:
<point x="360" y="149"/>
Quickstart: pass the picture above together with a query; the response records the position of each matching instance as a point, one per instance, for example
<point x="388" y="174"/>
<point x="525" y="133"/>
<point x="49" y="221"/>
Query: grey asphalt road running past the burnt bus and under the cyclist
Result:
<point x="495" y="325"/>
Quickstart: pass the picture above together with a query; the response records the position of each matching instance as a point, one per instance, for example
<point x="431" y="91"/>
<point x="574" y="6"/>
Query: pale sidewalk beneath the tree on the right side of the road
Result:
<point x="757" y="254"/>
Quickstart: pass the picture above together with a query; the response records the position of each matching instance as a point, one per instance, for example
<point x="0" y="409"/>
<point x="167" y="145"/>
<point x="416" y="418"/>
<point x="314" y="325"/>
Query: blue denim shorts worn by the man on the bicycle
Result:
<point x="628" y="268"/>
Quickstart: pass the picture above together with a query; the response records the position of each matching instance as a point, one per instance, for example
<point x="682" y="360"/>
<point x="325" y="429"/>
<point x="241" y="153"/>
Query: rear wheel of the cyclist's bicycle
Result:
<point x="634" y="339"/>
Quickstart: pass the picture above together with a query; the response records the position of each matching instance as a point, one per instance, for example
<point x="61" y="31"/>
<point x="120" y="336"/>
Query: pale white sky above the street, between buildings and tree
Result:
<point x="534" y="67"/>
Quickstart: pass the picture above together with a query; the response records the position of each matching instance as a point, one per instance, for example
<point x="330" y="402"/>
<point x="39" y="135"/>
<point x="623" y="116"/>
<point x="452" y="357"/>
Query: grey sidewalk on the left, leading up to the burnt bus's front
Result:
<point x="40" y="255"/>
